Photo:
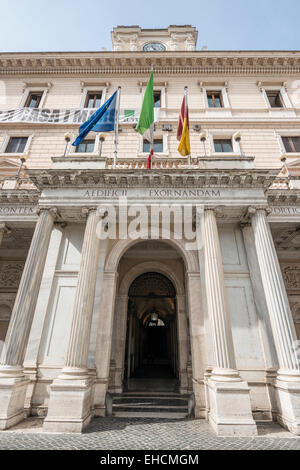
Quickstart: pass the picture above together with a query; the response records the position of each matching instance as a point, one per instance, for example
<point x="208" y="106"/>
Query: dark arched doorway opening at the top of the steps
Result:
<point x="151" y="357"/>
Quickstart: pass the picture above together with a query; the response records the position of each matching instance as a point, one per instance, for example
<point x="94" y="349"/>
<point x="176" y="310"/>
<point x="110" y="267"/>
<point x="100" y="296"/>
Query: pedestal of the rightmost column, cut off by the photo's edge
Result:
<point x="287" y="387"/>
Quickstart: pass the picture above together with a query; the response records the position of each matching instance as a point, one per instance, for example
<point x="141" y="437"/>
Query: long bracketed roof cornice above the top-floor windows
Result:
<point x="140" y="63"/>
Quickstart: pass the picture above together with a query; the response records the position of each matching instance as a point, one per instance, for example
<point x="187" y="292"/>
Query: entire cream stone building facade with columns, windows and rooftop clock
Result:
<point x="182" y="280"/>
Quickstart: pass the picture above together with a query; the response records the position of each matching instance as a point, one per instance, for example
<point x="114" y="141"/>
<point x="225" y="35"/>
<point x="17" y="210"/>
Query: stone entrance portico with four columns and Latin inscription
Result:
<point x="235" y="334"/>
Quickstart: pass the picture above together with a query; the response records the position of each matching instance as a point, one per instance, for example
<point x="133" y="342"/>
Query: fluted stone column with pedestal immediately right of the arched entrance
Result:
<point x="229" y="396"/>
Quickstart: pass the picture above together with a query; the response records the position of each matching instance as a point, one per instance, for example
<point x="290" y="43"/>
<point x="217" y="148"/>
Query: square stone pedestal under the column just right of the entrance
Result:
<point x="230" y="408"/>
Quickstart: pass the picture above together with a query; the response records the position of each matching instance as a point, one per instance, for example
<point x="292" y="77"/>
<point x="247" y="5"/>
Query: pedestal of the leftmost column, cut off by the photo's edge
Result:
<point x="13" y="385"/>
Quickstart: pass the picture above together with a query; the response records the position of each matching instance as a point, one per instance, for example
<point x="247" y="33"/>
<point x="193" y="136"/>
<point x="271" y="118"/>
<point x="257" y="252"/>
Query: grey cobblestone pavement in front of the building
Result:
<point x="146" y="434"/>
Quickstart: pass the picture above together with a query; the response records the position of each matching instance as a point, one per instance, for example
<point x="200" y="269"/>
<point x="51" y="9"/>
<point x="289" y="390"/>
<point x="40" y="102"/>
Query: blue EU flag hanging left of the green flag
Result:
<point x="103" y="120"/>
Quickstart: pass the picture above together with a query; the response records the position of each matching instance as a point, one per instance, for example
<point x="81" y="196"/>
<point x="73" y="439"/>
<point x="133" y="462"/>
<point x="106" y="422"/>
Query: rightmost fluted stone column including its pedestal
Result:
<point x="283" y="329"/>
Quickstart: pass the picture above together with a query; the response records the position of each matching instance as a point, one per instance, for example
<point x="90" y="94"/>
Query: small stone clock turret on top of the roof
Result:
<point x="173" y="38"/>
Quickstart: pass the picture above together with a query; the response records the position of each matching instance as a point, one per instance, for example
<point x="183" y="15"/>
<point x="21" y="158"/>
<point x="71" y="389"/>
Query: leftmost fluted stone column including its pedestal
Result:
<point x="13" y="383"/>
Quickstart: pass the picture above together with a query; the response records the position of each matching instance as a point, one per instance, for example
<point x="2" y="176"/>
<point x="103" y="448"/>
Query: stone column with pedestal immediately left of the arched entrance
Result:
<point x="69" y="407"/>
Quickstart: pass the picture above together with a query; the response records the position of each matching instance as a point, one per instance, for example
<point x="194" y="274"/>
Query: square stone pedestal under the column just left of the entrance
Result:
<point x="69" y="408"/>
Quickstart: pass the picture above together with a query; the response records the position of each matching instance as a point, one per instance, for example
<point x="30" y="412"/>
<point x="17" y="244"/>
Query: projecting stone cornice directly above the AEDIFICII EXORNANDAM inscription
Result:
<point x="103" y="178"/>
